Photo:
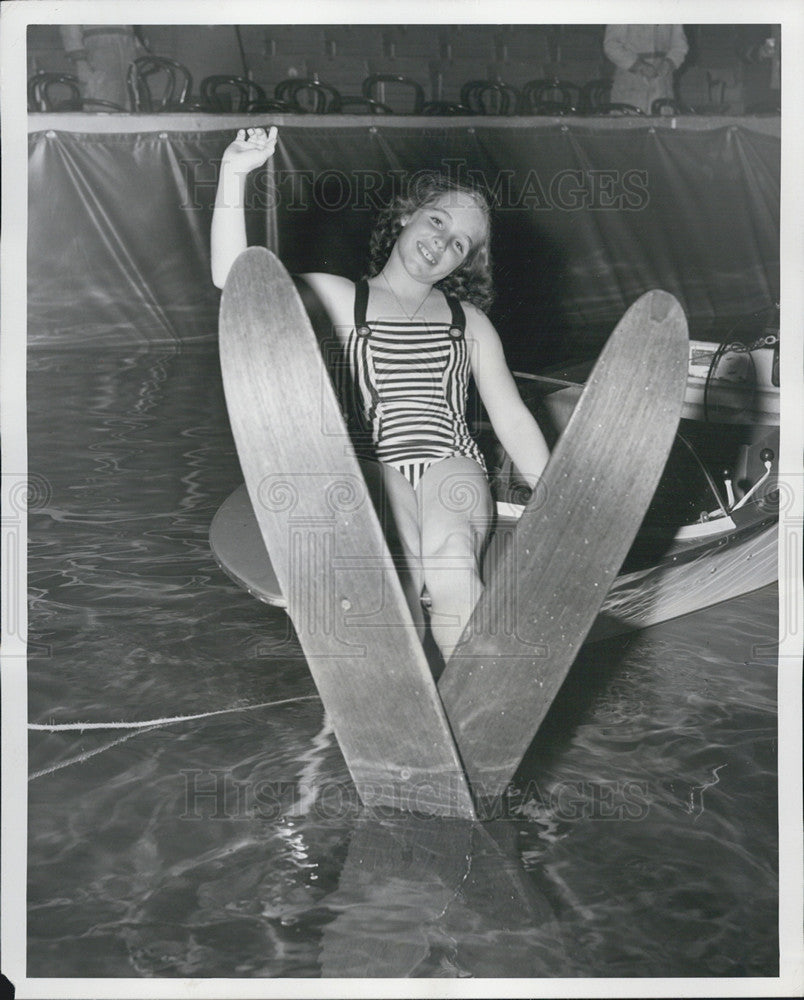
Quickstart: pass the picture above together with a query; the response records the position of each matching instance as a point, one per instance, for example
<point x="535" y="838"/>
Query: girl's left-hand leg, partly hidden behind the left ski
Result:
<point x="397" y="508"/>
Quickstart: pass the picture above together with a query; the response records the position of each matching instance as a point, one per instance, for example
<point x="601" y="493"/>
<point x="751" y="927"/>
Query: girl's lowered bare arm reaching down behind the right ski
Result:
<point x="513" y="423"/>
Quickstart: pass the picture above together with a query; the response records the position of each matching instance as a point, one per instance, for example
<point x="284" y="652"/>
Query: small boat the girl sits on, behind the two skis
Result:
<point x="711" y="533"/>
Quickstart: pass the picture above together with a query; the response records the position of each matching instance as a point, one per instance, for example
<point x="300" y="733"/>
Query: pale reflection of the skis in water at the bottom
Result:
<point x="423" y="897"/>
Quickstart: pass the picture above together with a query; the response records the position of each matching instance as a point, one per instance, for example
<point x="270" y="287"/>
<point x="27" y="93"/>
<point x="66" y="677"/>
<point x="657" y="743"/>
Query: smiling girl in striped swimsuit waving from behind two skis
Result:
<point x="412" y="331"/>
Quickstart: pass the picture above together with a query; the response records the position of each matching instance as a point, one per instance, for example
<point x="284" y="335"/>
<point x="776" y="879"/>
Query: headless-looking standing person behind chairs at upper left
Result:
<point x="102" y="54"/>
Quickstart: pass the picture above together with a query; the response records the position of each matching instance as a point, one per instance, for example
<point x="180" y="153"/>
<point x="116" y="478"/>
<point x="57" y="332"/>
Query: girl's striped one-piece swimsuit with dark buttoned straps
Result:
<point x="406" y="389"/>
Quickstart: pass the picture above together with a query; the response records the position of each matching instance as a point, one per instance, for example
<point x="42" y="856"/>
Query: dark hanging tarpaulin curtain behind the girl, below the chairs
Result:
<point x="585" y="220"/>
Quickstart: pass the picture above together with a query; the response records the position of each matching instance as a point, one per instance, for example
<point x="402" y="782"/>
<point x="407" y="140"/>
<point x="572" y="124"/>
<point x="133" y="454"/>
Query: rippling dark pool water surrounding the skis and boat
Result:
<point x="641" y="835"/>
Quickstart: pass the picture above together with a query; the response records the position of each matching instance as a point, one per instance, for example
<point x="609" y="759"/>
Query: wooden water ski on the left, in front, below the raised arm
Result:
<point x="328" y="550"/>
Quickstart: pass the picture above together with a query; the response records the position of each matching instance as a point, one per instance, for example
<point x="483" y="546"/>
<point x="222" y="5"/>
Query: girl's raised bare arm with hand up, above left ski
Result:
<point x="250" y="149"/>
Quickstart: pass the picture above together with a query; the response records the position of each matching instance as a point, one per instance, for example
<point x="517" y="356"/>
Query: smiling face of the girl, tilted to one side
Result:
<point x="437" y="237"/>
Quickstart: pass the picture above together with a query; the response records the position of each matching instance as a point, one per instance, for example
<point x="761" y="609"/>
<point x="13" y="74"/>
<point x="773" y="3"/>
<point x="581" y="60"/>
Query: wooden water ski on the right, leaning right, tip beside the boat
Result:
<point x="544" y="595"/>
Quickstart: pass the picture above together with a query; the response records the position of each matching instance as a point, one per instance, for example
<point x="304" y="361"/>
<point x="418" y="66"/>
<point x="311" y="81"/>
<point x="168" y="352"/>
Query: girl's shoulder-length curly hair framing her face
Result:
<point x="471" y="281"/>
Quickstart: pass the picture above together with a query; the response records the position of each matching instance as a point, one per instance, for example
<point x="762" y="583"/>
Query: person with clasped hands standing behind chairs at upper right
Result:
<point x="645" y="56"/>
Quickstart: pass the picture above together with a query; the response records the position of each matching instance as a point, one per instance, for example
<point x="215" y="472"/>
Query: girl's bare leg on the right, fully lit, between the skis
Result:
<point x="455" y="511"/>
